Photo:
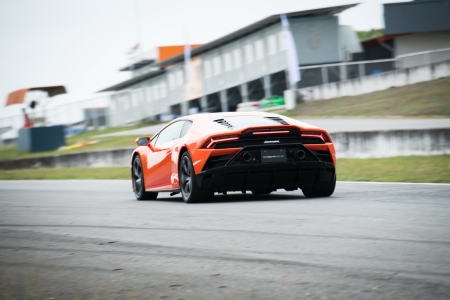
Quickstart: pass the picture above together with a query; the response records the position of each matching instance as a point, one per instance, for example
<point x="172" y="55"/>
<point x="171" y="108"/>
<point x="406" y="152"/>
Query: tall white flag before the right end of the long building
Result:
<point x="291" y="53"/>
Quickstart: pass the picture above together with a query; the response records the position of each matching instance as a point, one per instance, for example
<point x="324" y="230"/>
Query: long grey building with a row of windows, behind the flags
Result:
<point x="248" y="64"/>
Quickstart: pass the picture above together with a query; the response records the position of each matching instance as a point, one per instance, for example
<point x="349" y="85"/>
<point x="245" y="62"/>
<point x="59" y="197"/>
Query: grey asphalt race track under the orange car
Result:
<point x="93" y="240"/>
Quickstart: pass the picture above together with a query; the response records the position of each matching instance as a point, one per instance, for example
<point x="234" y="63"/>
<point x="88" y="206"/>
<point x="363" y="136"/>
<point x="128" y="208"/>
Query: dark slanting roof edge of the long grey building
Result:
<point x="326" y="11"/>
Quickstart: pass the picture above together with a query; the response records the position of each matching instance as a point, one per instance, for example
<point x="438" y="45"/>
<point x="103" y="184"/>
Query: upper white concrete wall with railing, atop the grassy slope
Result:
<point x="378" y="82"/>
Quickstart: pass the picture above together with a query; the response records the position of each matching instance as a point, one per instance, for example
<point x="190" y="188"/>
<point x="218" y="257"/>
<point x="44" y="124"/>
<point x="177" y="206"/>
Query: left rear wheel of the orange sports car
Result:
<point x="190" y="191"/>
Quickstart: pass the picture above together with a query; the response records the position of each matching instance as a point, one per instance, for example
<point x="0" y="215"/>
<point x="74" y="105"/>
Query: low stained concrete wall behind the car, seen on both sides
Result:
<point x="348" y="145"/>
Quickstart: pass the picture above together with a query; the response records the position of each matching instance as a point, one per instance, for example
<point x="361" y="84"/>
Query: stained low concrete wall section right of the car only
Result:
<point x="392" y="143"/>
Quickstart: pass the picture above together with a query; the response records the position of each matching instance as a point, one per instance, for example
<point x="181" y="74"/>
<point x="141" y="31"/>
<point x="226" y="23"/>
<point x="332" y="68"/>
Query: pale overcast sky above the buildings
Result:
<point x="82" y="44"/>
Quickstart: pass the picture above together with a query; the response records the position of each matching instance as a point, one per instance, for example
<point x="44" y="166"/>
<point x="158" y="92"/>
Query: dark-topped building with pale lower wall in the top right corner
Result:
<point x="413" y="27"/>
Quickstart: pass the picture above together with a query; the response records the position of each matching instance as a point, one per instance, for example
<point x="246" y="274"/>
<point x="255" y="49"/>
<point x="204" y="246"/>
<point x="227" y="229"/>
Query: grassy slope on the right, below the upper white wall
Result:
<point x="426" y="99"/>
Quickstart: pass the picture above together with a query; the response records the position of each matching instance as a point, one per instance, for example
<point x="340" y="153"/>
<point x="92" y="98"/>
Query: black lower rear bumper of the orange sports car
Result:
<point x="263" y="176"/>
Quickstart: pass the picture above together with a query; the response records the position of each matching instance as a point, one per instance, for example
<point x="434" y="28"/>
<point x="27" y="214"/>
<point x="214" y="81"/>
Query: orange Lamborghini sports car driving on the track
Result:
<point x="199" y="155"/>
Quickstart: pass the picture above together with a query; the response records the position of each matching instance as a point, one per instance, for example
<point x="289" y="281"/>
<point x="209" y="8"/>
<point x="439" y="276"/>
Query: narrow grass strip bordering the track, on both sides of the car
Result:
<point x="395" y="169"/>
